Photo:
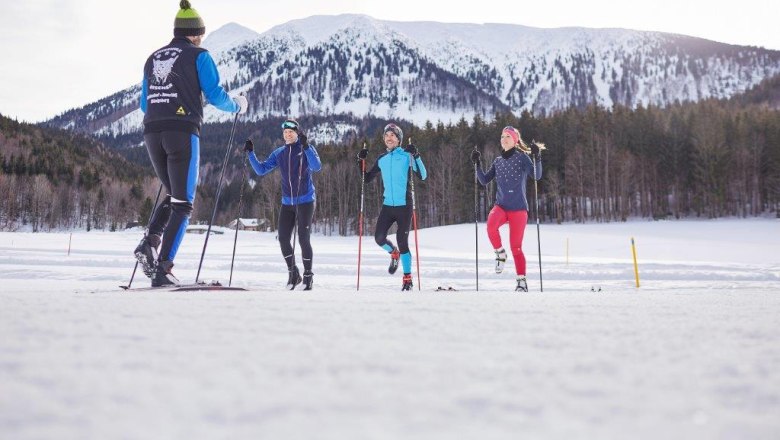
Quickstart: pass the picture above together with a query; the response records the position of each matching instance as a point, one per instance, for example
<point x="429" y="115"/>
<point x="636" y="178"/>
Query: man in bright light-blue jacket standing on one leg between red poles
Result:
<point x="395" y="165"/>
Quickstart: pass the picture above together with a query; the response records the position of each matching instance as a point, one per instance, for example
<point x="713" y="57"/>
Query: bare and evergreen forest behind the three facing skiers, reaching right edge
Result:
<point x="706" y="160"/>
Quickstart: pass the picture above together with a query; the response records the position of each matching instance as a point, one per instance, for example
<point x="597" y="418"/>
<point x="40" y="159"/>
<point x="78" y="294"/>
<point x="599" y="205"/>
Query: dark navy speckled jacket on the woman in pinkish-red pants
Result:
<point x="511" y="170"/>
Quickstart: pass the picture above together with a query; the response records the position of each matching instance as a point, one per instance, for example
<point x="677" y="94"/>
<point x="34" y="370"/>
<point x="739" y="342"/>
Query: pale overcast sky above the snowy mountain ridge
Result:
<point x="61" y="54"/>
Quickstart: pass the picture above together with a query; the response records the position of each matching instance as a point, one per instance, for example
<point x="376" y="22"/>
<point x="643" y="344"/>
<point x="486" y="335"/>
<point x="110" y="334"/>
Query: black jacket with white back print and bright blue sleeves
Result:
<point x="174" y="77"/>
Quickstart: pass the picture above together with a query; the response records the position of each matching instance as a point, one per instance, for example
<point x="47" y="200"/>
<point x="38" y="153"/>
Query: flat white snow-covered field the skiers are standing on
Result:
<point x="694" y="353"/>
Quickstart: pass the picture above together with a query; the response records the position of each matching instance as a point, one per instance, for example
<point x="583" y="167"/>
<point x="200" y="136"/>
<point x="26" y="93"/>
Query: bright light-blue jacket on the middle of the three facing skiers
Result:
<point x="394" y="166"/>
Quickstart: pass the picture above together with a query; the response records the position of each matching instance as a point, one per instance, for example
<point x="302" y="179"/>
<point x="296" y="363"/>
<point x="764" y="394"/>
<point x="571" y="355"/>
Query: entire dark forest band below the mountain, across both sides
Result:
<point x="709" y="159"/>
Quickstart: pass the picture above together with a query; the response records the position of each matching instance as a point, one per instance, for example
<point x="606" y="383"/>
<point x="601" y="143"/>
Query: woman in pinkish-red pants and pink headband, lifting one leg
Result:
<point x="511" y="169"/>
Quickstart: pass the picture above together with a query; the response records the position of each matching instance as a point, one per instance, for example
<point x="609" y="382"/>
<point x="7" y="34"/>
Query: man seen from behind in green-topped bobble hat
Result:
<point x="174" y="78"/>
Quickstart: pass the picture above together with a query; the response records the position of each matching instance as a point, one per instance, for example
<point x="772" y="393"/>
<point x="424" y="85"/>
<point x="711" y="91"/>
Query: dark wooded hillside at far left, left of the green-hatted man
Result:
<point x="54" y="179"/>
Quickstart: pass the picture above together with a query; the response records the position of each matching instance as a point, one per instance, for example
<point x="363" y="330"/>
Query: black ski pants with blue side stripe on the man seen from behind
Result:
<point x="175" y="156"/>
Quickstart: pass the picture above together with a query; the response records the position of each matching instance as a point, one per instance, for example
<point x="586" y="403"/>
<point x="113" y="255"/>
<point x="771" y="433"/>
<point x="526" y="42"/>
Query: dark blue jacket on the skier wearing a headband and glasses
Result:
<point x="296" y="166"/>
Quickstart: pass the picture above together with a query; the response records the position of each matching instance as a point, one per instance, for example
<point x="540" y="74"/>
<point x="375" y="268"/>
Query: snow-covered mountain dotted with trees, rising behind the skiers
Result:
<point x="427" y="71"/>
